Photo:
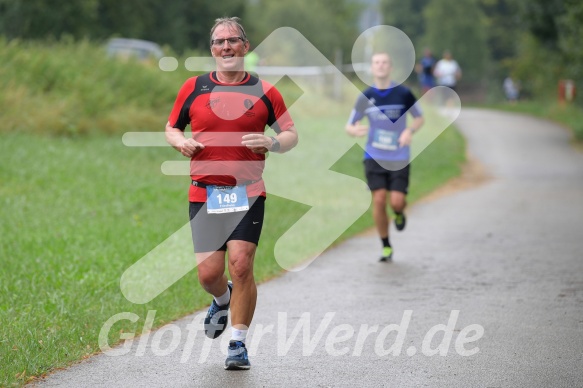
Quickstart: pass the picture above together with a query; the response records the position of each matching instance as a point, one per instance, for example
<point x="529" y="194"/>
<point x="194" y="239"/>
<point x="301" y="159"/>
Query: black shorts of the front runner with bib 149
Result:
<point x="210" y="232"/>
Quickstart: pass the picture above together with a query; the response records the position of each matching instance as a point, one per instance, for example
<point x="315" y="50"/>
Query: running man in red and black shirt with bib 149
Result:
<point x="228" y="110"/>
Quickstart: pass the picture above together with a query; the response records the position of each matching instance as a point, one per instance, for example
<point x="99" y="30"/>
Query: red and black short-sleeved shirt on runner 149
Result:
<point x="219" y="115"/>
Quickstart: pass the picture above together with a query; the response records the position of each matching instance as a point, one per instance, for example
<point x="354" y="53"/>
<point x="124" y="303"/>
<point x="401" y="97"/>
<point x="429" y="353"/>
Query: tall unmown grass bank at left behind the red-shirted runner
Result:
<point x="72" y="88"/>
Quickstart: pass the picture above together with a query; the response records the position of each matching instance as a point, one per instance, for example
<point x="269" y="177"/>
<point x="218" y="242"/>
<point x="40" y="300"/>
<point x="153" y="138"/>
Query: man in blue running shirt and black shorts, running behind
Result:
<point x="387" y="153"/>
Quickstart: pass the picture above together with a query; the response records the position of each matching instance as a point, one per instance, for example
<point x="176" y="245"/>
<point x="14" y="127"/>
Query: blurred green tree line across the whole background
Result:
<point x="536" y="41"/>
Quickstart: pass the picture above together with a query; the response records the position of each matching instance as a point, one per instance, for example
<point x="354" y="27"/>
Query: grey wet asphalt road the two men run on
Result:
<point x="485" y="290"/>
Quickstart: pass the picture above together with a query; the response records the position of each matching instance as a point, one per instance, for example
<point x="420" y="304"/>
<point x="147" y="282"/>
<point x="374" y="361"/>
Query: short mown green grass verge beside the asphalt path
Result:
<point x="77" y="213"/>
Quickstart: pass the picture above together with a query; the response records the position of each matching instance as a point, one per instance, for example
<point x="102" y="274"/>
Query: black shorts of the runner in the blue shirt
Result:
<point x="391" y="176"/>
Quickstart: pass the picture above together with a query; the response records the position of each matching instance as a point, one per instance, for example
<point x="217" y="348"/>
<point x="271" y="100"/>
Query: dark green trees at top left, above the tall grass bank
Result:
<point x="180" y="23"/>
